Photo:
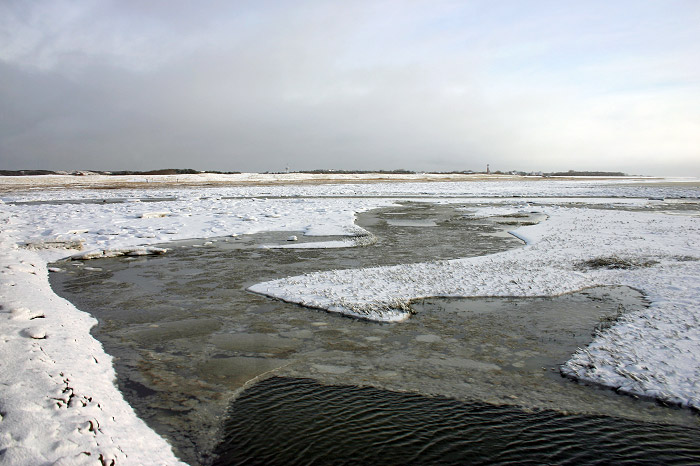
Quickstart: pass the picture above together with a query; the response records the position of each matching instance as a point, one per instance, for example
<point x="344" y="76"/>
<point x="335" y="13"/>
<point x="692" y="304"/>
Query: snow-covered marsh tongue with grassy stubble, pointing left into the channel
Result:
<point x="655" y="353"/>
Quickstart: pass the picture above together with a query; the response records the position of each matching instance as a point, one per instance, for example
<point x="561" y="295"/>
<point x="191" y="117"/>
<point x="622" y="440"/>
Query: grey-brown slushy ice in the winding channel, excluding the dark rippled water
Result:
<point x="187" y="337"/>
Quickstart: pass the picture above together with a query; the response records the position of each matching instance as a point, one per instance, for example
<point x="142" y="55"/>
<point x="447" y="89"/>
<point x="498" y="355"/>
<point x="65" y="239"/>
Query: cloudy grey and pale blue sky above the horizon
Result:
<point x="421" y="85"/>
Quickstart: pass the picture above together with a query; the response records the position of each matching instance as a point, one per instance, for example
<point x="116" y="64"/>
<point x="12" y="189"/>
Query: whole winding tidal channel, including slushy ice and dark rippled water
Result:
<point x="231" y="377"/>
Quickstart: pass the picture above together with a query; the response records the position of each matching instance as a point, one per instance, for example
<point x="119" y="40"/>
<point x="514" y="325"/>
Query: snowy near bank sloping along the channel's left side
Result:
<point x="58" y="401"/>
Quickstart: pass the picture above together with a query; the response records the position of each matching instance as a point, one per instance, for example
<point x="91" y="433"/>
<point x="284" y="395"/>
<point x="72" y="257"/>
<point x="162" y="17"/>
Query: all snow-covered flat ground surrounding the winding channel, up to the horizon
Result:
<point x="58" y="401"/>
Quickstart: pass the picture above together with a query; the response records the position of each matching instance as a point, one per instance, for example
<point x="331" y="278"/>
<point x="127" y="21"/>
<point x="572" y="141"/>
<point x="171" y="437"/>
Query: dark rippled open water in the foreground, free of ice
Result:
<point x="287" y="421"/>
